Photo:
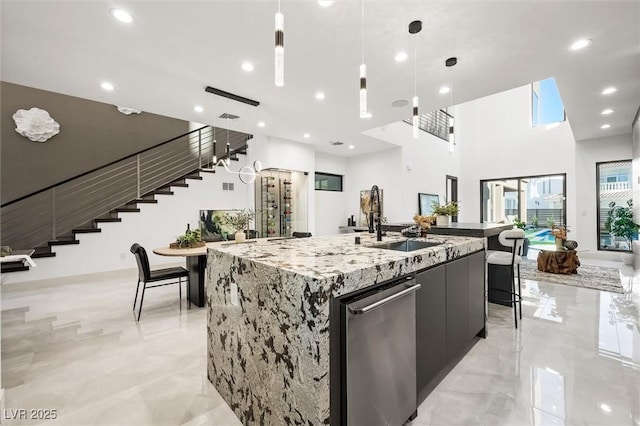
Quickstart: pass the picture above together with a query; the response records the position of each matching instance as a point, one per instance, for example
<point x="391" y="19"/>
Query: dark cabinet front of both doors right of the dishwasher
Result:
<point x="449" y="314"/>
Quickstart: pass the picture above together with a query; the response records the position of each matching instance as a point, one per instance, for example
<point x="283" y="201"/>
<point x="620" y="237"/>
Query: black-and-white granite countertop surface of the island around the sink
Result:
<point x="326" y="257"/>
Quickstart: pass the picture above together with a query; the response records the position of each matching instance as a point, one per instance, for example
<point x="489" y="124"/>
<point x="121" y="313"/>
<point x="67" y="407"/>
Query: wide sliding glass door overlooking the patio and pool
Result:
<point x="537" y="201"/>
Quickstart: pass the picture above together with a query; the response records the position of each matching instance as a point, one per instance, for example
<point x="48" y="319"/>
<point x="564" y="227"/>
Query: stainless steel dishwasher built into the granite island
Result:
<point x="380" y="354"/>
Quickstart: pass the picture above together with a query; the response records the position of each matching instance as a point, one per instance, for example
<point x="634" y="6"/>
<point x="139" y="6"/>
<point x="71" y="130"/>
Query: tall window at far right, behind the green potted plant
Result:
<point x="614" y="186"/>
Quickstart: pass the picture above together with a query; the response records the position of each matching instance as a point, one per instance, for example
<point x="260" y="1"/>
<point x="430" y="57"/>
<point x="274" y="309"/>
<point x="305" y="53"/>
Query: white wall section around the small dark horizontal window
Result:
<point x="331" y="208"/>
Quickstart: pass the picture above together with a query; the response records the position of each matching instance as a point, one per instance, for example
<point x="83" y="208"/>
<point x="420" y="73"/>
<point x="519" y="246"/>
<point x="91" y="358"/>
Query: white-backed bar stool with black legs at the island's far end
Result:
<point x="514" y="239"/>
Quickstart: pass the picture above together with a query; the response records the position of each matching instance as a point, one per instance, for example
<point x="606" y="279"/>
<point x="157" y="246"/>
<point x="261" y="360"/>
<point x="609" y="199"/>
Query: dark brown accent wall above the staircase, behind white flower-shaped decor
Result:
<point x="91" y="134"/>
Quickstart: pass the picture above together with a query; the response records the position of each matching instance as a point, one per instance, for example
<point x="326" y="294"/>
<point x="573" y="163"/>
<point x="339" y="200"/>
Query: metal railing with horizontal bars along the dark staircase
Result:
<point x="52" y="213"/>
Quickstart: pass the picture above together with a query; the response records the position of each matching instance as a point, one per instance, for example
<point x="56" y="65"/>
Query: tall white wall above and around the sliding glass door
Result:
<point x="497" y="141"/>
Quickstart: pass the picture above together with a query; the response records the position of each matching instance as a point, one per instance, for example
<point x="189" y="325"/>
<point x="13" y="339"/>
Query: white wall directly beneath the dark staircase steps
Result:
<point x="156" y="225"/>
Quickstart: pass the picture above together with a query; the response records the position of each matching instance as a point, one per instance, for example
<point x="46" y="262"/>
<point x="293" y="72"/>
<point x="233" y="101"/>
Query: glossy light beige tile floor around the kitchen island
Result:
<point x="73" y="346"/>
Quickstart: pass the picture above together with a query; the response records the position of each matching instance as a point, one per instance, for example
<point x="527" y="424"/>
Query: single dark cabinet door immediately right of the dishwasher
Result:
<point x="431" y="326"/>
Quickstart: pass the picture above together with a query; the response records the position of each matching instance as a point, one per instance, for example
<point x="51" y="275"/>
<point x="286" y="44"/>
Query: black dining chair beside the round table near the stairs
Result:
<point x="146" y="275"/>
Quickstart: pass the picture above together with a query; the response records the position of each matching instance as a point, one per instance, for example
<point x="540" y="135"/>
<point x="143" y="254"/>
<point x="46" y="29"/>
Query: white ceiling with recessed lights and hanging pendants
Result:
<point x="162" y="62"/>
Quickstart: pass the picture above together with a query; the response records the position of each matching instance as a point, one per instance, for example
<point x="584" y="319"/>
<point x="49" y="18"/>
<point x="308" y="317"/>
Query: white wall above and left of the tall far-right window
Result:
<point x="588" y="153"/>
